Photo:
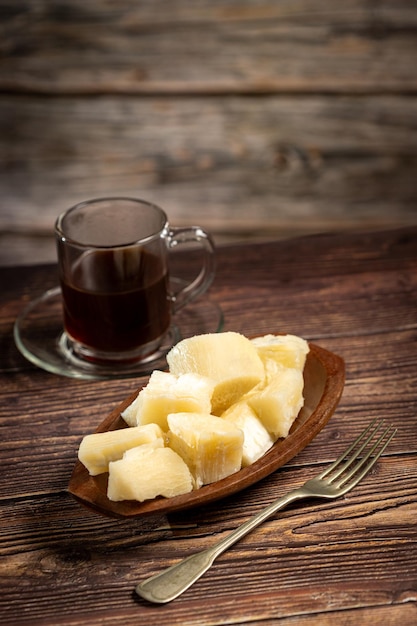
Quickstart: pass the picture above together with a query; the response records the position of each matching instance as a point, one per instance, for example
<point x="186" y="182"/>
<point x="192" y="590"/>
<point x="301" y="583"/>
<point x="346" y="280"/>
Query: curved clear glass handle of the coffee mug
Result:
<point x="182" y="236"/>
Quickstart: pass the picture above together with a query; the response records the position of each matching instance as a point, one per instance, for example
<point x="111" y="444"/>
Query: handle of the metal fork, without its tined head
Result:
<point x="172" y="582"/>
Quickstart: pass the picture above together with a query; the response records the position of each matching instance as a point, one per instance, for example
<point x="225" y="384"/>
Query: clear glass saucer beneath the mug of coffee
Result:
<point x="38" y="334"/>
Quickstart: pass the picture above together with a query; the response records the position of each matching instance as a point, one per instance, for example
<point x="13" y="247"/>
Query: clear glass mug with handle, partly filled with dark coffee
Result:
<point x="114" y="275"/>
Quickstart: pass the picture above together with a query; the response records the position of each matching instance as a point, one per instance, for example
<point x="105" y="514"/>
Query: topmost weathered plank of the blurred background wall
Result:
<point x="208" y="47"/>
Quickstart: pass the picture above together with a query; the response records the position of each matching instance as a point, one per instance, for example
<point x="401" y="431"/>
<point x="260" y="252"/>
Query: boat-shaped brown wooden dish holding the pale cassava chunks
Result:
<point x="324" y="375"/>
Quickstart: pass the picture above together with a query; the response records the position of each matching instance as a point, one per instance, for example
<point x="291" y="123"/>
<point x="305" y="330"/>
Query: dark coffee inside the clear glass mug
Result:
<point x="116" y="300"/>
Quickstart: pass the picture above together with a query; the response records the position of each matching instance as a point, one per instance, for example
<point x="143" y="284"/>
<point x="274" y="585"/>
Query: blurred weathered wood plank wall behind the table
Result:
<point x="254" y="119"/>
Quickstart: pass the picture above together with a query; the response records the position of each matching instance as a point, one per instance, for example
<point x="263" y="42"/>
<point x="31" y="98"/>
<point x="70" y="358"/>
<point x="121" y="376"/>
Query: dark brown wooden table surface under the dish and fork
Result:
<point x="349" y="561"/>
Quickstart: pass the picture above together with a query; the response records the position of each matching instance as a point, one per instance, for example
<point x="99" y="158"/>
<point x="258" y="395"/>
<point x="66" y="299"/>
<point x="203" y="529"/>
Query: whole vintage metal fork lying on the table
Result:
<point x="339" y="478"/>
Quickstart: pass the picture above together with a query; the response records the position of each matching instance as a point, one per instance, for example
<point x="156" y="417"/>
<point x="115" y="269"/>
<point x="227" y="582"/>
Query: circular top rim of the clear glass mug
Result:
<point x="62" y="236"/>
